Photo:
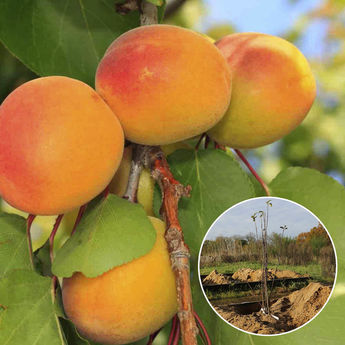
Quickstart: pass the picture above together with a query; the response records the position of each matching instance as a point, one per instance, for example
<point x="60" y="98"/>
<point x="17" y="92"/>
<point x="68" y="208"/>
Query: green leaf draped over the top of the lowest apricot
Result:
<point x="113" y="231"/>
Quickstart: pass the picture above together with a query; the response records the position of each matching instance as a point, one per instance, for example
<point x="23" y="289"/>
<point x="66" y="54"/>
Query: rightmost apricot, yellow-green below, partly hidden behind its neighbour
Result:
<point x="273" y="90"/>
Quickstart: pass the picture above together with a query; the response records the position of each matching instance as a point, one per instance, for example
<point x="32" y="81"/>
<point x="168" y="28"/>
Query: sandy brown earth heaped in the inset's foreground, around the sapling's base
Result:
<point x="293" y="311"/>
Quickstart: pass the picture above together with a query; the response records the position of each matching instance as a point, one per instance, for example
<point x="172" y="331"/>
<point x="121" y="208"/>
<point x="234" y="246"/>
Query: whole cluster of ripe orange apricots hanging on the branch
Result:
<point x="62" y="143"/>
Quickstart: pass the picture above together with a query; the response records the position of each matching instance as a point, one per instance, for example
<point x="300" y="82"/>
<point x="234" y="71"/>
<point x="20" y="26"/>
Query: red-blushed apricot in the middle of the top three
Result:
<point x="164" y="83"/>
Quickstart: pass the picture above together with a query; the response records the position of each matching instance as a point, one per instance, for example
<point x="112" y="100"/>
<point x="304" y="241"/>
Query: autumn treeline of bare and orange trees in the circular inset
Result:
<point x="309" y="247"/>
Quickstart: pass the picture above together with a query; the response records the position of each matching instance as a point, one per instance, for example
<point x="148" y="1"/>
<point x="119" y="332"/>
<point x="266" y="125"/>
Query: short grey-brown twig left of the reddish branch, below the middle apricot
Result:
<point x="134" y="173"/>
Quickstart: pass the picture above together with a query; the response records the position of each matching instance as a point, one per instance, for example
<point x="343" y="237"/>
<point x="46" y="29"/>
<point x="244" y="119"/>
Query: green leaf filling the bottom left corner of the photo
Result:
<point x="28" y="315"/>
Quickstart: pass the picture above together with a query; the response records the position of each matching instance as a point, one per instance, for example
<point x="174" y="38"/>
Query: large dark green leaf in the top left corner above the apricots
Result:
<point x="65" y="37"/>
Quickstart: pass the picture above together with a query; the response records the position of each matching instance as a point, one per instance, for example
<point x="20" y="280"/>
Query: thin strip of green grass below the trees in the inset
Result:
<point x="314" y="270"/>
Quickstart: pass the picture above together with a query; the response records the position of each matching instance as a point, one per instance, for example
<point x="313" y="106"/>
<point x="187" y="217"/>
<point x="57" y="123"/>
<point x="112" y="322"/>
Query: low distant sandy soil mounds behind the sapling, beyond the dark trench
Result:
<point x="249" y="275"/>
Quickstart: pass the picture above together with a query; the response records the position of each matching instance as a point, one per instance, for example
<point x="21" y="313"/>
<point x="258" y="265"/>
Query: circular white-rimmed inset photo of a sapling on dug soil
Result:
<point x="267" y="266"/>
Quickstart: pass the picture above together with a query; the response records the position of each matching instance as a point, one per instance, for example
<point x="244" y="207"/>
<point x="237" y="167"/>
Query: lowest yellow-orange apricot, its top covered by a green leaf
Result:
<point x="126" y="303"/>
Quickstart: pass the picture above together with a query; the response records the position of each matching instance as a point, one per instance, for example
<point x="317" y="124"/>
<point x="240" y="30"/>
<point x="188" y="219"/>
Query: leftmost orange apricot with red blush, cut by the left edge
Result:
<point x="60" y="145"/>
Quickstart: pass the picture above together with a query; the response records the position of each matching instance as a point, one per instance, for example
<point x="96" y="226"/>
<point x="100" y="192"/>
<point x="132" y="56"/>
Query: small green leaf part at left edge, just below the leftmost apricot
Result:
<point x="14" y="253"/>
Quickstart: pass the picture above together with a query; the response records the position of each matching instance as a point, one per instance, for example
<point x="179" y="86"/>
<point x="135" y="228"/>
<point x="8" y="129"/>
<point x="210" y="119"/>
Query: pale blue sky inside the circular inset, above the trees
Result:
<point x="237" y="220"/>
